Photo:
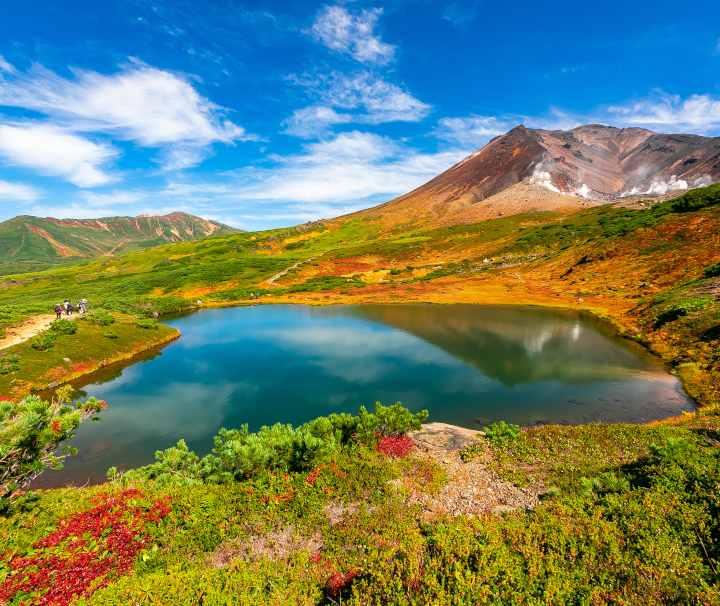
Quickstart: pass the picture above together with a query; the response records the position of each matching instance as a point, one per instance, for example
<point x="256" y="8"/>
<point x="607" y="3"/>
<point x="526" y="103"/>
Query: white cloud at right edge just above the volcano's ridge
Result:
<point x="696" y="113"/>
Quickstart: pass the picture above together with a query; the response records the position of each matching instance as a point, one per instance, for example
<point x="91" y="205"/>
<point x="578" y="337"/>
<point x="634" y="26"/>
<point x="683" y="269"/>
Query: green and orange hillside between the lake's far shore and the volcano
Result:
<point x="648" y="270"/>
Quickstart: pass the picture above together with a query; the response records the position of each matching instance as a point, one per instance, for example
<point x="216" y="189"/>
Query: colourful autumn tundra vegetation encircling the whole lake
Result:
<point x="328" y="512"/>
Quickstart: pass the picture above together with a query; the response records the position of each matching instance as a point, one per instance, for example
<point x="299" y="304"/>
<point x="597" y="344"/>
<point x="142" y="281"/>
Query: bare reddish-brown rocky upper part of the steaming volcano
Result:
<point x="608" y="162"/>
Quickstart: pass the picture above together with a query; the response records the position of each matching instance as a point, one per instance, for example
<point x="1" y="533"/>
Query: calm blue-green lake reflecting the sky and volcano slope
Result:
<point x="468" y="364"/>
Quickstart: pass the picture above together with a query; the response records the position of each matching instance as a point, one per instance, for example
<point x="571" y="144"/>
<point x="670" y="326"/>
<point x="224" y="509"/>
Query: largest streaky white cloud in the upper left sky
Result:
<point x="151" y="107"/>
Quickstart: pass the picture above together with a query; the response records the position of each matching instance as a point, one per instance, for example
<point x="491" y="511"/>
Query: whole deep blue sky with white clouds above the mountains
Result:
<point x="270" y="113"/>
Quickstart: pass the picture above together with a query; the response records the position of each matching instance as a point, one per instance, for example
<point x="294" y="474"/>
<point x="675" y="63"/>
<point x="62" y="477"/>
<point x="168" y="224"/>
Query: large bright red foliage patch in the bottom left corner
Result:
<point x="85" y="552"/>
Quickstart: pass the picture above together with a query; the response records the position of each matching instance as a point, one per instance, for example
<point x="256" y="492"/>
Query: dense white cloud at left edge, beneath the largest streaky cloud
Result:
<point x="52" y="151"/>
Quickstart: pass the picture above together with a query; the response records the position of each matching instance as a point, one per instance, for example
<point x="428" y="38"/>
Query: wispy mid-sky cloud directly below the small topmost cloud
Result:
<point x="360" y="98"/>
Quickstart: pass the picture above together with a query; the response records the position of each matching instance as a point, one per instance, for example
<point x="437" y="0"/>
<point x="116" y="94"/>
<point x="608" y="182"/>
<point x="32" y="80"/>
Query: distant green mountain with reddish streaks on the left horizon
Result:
<point x="33" y="243"/>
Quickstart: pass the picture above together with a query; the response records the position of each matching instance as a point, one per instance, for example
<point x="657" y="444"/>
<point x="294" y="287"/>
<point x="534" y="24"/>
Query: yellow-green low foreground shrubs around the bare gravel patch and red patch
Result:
<point x="631" y="522"/>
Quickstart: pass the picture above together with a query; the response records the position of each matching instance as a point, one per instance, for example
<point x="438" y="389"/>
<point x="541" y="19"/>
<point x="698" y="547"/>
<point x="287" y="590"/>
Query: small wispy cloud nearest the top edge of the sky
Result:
<point x="341" y="31"/>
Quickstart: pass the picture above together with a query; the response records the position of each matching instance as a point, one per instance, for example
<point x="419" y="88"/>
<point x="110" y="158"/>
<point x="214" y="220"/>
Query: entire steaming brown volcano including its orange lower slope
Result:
<point x="533" y="169"/>
